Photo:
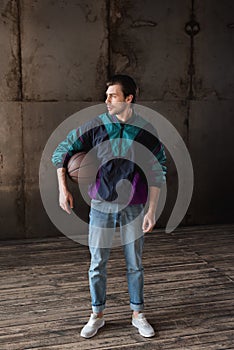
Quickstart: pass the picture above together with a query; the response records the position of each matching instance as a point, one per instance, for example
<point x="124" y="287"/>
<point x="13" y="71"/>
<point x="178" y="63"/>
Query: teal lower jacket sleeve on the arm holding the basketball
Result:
<point x="74" y="142"/>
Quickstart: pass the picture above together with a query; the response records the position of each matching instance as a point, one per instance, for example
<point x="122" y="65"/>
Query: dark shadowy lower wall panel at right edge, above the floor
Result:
<point x="211" y="148"/>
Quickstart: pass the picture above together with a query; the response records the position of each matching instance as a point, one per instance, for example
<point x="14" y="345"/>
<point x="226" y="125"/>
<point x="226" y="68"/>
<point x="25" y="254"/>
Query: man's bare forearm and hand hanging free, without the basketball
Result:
<point x="149" y="218"/>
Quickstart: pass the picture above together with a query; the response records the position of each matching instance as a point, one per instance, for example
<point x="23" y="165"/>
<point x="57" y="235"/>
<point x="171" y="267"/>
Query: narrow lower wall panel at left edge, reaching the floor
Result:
<point x="11" y="171"/>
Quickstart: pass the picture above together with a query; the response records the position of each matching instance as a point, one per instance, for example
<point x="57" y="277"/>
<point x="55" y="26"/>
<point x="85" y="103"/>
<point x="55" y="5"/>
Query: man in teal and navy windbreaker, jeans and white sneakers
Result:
<point x="119" y="193"/>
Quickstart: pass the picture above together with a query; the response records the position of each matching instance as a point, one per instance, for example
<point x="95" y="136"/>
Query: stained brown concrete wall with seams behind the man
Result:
<point x="55" y="59"/>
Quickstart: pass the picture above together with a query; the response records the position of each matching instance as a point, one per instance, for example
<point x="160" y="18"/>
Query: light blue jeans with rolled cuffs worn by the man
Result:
<point x="101" y="232"/>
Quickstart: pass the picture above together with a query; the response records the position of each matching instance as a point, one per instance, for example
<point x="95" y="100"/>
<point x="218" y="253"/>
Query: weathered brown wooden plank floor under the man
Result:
<point x="189" y="293"/>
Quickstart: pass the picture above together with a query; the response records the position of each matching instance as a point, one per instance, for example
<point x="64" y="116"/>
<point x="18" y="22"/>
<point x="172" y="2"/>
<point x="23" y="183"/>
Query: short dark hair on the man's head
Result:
<point x="128" y="85"/>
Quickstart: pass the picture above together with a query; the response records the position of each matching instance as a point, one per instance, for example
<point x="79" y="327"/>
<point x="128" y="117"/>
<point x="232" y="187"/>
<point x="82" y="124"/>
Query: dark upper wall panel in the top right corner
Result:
<point x="214" y="50"/>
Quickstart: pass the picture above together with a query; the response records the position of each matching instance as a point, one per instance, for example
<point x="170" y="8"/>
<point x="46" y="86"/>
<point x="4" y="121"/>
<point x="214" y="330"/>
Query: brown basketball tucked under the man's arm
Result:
<point x="82" y="168"/>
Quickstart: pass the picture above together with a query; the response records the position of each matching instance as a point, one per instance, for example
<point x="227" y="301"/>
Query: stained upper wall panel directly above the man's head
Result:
<point x="147" y="40"/>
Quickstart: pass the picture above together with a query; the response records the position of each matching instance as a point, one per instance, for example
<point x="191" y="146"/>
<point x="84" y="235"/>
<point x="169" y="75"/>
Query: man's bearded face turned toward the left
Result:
<point x="115" y="100"/>
